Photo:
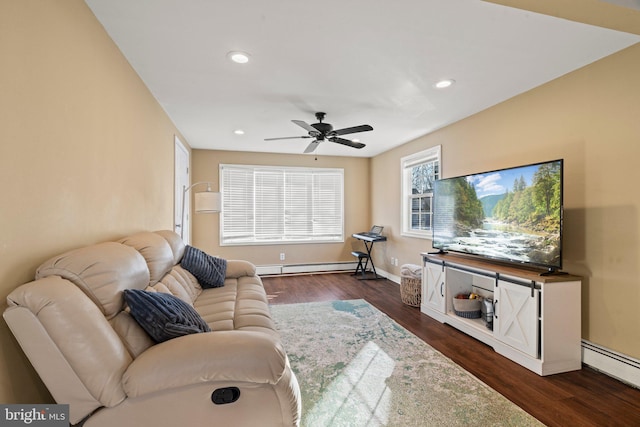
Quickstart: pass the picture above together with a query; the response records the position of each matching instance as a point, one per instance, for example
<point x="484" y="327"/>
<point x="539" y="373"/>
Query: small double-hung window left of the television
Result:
<point x="419" y="171"/>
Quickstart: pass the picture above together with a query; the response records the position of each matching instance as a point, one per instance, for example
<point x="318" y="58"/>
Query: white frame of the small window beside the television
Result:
<point x="432" y="154"/>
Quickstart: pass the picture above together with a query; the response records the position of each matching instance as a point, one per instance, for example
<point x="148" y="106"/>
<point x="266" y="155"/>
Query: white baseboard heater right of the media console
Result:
<point x="612" y="363"/>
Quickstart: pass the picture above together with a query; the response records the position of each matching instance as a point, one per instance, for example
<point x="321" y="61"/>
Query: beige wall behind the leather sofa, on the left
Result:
<point x="86" y="153"/>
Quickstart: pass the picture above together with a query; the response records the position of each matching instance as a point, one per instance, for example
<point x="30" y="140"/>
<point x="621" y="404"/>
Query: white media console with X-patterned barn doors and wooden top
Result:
<point x="536" y="319"/>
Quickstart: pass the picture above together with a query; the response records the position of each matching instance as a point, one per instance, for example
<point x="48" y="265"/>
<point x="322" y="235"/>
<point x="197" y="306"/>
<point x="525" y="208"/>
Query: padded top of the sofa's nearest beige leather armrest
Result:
<point x="230" y="356"/>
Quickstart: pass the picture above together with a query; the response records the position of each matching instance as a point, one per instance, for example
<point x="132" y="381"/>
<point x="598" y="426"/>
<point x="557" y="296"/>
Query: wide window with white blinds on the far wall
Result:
<point x="268" y="204"/>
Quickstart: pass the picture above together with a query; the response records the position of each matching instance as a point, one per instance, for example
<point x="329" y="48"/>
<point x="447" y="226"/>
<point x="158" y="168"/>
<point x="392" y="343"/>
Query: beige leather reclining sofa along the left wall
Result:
<point x="72" y="324"/>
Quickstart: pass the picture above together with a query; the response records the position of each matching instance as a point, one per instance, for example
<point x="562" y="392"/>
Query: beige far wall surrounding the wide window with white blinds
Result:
<point x="357" y="208"/>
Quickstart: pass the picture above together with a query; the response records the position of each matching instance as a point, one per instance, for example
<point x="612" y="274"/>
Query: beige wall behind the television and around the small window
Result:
<point x="591" y="118"/>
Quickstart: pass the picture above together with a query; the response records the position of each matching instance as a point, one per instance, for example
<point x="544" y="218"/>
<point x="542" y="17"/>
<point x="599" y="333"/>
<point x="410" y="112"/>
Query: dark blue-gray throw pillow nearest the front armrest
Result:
<point x="163" y="316"/>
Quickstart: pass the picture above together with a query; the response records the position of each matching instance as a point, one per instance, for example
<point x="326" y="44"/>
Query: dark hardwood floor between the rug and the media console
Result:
<point x="580" y="398"/>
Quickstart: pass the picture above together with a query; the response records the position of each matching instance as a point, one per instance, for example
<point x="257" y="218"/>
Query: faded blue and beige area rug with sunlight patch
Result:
<point x="357" y="367"/>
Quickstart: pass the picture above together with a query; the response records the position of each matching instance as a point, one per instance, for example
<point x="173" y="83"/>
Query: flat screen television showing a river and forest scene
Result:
<point x="512" y="215"/>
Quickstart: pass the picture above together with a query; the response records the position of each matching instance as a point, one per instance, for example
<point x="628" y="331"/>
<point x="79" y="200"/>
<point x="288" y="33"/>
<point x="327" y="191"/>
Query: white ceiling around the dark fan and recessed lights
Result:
<point x="360" y="61"/>
